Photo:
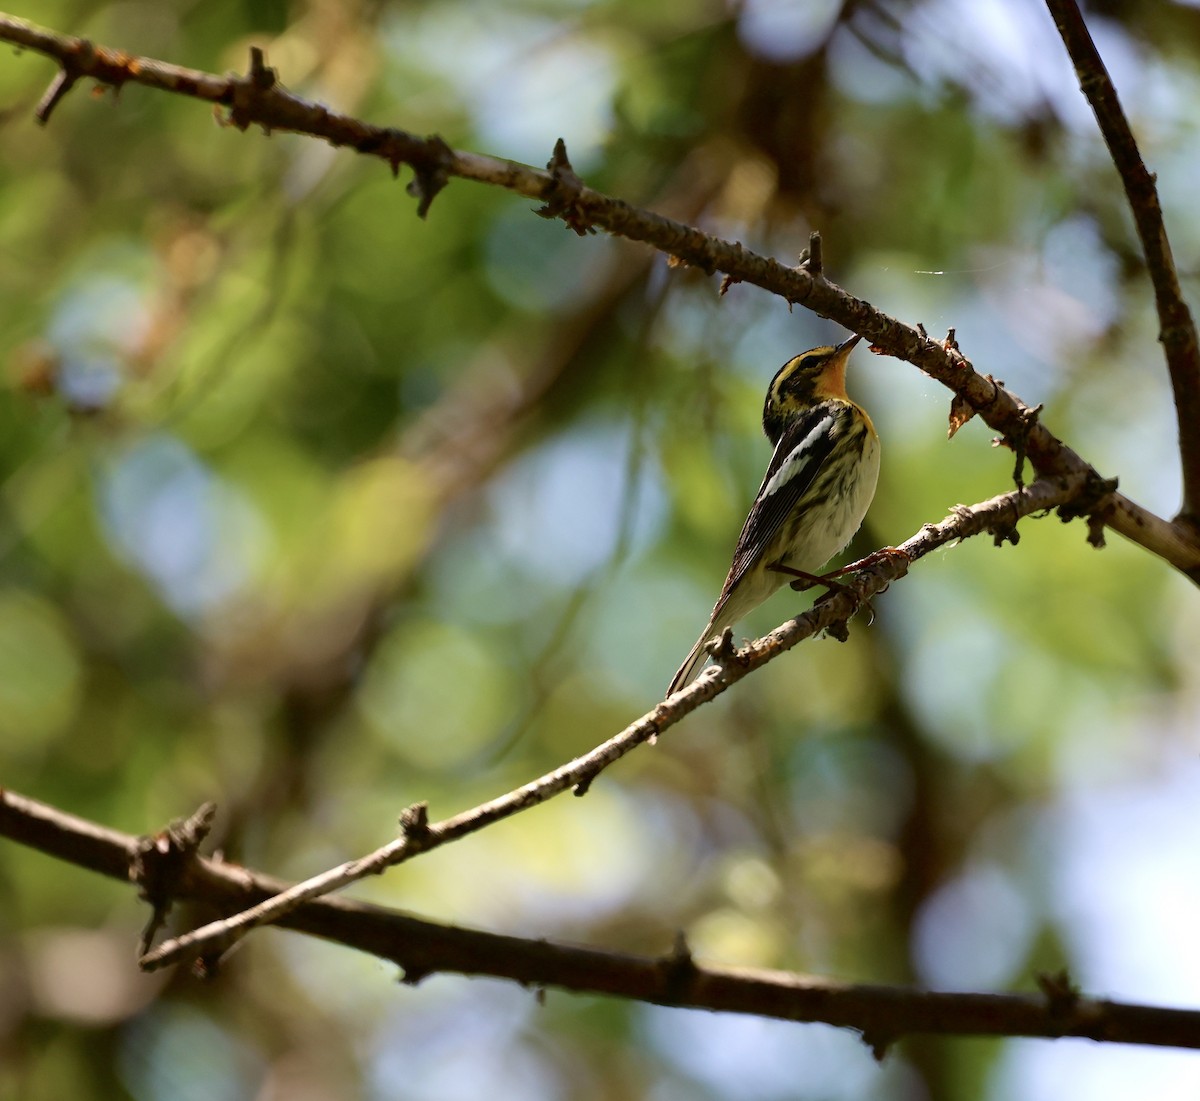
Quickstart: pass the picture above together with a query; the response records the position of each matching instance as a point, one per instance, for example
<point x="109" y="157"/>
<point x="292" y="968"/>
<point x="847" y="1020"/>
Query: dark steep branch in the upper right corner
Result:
<point x="1178" y="330"/>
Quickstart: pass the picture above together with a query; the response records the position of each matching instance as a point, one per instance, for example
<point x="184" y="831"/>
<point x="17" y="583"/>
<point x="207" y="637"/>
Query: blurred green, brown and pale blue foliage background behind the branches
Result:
<point x="317" y="510"/>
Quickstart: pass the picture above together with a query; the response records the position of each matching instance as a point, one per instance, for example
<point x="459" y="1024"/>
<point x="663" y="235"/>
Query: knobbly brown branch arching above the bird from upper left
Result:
<point x="260" y="100"/>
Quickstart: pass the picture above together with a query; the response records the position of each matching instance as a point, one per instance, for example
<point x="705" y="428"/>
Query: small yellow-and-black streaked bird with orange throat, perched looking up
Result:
<point x="818" y="489"/>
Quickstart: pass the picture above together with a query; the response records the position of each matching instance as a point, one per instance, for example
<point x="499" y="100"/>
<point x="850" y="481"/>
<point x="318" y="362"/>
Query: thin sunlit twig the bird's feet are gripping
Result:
<point x="999" y="513"/>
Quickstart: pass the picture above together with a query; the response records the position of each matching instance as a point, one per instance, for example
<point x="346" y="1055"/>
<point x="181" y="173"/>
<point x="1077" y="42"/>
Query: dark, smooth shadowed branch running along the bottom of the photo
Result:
<point x="881" y="1014"/>
